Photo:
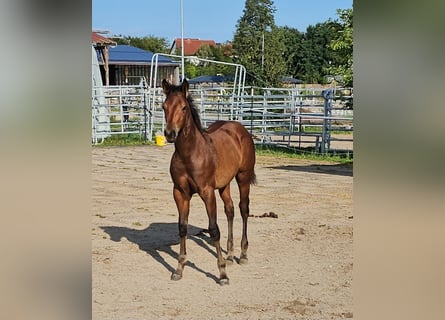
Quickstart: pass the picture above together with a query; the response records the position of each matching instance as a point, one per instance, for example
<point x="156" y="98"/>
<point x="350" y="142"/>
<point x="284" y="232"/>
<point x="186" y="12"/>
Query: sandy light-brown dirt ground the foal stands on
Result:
<point x="300" y="264"/>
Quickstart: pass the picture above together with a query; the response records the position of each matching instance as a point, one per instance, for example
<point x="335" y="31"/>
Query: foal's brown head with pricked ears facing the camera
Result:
<point x="176" y="106"/>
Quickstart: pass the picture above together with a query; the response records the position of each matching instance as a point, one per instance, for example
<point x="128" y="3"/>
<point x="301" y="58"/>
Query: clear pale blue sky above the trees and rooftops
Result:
<point x="203" y="19"/>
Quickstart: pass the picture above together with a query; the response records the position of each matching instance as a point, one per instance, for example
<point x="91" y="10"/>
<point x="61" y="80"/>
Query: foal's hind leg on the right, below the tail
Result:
<point x="244" y="179"/>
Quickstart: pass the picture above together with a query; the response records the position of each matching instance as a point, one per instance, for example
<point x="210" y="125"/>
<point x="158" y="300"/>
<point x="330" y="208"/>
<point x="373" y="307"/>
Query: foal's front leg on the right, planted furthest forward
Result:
<point x="208" y="196"/>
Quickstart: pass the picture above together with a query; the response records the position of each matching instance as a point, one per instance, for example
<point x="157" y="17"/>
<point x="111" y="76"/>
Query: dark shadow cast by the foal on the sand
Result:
<point x="160" y="237"/>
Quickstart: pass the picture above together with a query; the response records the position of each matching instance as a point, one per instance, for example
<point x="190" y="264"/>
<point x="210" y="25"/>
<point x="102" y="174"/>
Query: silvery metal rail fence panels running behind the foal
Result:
<point x="292" y="117"/>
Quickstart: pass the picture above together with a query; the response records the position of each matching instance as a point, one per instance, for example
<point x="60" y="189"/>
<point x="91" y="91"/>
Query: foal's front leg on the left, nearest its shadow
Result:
<point x="182" y="200"/>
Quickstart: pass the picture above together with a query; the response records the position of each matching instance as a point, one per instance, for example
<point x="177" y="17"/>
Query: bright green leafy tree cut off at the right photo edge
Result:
<point x="342" y="45"/>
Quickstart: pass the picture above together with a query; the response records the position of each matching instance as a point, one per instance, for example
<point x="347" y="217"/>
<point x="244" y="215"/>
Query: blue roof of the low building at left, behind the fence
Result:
<point x="125" y="54"/>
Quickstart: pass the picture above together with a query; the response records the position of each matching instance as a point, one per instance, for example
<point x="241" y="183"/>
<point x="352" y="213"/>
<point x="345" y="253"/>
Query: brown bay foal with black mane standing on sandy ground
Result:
<point x="205" y="160"/>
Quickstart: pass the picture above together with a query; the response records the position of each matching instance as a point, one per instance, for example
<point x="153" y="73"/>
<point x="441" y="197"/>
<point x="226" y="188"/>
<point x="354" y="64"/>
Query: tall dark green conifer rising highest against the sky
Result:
<point x="257" y="45"/>
